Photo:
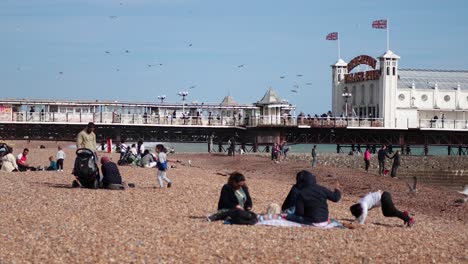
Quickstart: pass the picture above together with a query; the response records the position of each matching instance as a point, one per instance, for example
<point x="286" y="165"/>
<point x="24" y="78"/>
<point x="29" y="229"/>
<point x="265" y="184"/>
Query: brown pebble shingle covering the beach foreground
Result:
<point x="44" y="220"/>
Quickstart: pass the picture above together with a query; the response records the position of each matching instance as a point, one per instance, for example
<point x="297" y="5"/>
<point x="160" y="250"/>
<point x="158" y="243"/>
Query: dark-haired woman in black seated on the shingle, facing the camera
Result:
<point x="234" y="196"/>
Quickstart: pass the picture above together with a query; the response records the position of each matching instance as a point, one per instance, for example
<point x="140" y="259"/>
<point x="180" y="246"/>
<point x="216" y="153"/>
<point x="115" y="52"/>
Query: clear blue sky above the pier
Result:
<point x="101" y="49"/>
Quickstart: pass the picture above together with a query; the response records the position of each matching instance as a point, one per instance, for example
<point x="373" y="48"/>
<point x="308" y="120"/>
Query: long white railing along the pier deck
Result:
<point x="224" y="121"/>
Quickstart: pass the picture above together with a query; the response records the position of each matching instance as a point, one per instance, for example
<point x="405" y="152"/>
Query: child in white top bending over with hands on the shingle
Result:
<point x="379" y="199"/>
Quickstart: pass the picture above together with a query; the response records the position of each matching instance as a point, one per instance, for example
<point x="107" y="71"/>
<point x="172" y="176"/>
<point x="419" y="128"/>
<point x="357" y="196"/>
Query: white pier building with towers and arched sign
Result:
<point x="369" y="88"/>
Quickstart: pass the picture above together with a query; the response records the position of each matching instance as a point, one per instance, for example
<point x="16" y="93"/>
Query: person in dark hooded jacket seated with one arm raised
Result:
<point x="311" y="203"/>
